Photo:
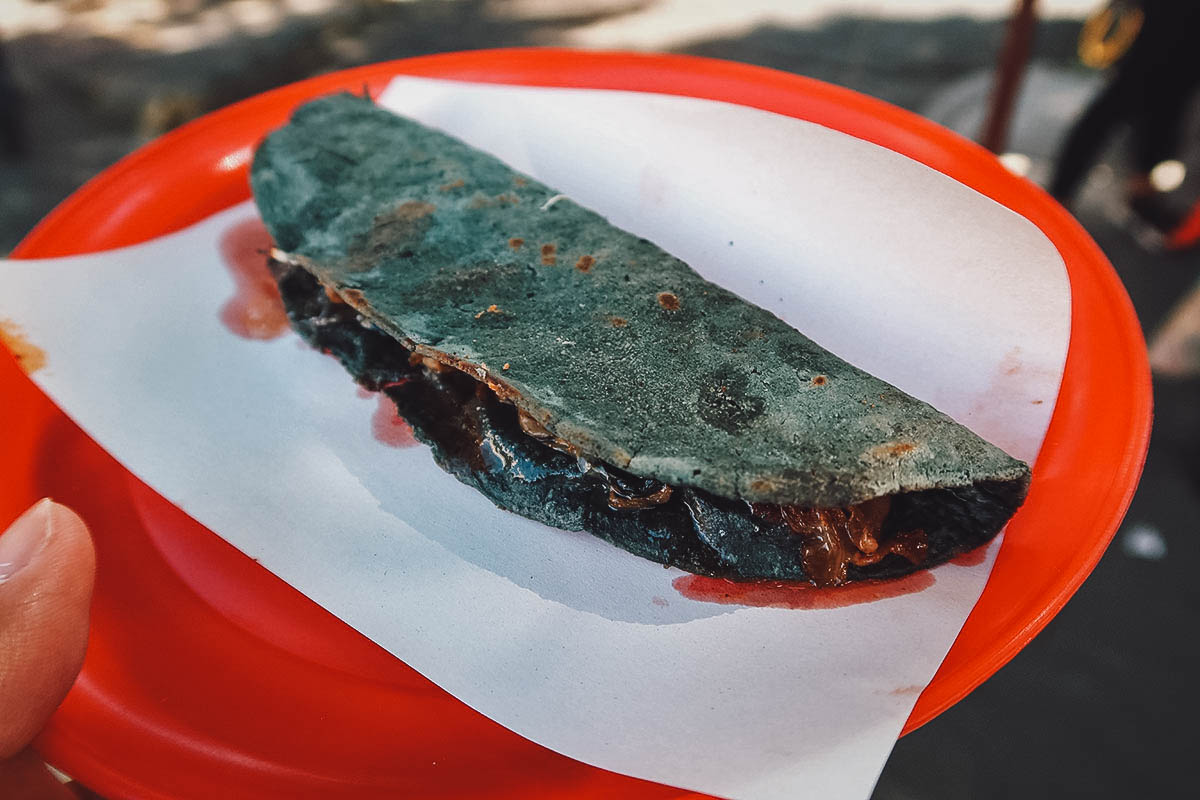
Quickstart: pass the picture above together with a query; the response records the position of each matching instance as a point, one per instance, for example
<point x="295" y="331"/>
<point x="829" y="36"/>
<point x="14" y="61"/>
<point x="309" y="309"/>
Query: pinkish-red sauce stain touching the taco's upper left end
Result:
<point x="256" y="311"/>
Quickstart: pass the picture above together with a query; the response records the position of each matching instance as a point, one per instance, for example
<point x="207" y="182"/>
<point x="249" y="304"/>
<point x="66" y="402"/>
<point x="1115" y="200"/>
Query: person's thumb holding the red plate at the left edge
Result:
<point x="47" y="570"/>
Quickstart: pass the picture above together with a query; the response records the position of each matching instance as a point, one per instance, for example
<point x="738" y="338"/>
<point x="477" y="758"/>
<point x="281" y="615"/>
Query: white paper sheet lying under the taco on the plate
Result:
<point x="559" y="636"/>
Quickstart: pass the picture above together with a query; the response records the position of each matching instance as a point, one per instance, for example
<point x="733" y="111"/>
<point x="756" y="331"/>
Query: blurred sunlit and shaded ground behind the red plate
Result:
<point x="1095" y="707"/>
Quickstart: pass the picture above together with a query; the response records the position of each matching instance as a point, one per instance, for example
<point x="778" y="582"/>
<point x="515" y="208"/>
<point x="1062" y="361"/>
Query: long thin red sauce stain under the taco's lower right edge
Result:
<point x="794" y="594"/>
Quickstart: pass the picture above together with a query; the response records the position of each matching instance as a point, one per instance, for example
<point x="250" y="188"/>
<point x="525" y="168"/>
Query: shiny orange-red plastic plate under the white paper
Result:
<point x="208" y="677"/>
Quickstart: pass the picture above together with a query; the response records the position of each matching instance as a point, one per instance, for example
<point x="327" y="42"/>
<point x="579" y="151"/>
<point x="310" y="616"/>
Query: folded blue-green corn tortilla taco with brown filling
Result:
<point x="580" y="376"/>
